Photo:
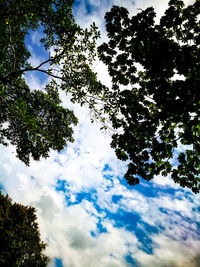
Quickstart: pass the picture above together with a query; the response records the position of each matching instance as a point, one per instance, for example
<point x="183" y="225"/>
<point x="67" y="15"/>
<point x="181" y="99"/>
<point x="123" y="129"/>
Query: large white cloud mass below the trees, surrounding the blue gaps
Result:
<point x="68" y="229"/>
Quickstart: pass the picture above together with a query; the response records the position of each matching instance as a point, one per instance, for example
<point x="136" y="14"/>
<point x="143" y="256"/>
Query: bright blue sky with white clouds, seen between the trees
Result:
<point x="87" y="214"/>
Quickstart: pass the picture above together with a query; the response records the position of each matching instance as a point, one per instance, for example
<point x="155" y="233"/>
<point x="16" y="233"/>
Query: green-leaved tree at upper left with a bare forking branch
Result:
<point x="34" y="120"/>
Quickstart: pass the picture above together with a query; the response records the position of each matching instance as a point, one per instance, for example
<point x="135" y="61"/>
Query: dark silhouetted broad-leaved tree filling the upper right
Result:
<point x="155" y="74"/>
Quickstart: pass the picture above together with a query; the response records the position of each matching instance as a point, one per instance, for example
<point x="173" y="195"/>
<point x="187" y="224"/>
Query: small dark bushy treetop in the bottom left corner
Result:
<point x="20" y="243"/>
